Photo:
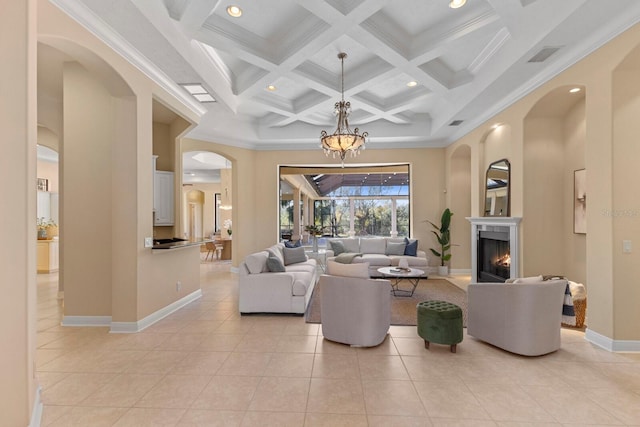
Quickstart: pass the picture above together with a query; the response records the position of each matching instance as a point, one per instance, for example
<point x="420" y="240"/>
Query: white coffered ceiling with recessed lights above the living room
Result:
<point x="468" y="63"/>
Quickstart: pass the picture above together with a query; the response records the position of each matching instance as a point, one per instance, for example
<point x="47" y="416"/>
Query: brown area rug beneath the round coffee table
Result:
<point x="403" y="309"/>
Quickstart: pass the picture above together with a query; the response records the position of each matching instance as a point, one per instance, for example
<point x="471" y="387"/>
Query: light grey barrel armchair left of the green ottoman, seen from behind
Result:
<point x="355" y="311"/>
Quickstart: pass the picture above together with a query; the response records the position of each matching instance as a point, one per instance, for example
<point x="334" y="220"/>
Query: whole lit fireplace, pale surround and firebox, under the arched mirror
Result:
<point x="494" y="248"/>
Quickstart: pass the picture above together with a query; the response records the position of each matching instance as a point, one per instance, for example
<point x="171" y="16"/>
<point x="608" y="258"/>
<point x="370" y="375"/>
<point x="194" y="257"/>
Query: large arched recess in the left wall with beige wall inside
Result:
<point x="97" y="154"/>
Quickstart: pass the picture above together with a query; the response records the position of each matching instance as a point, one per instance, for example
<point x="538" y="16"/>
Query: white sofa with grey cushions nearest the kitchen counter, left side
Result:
<point x="264" y="291"/>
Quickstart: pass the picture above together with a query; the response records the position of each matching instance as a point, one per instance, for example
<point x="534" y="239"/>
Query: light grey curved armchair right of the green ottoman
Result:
<point x="523" y="318"/>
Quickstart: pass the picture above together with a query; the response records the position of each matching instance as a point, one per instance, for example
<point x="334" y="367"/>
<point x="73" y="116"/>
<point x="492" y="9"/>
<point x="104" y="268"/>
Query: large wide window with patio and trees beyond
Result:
<point x="359" y="201"/>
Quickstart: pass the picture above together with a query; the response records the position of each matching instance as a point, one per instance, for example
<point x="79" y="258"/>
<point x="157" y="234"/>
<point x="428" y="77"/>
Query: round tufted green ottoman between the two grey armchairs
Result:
<point x="440" y="322"/>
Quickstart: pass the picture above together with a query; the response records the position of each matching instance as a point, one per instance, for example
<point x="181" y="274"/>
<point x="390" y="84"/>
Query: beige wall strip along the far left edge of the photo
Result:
<point x="18" y="224"/>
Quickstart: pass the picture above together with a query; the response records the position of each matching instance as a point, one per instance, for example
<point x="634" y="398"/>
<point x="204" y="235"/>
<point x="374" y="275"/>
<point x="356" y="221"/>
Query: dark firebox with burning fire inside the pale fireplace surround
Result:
<point x="494" y="260"/>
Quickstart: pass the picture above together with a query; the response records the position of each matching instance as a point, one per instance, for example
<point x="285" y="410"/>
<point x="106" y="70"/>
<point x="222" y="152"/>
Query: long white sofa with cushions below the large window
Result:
<point x="379" y="252"/>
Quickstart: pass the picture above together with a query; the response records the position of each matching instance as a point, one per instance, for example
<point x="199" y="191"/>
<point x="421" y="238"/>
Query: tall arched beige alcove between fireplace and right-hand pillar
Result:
<point x="554" y="149"/>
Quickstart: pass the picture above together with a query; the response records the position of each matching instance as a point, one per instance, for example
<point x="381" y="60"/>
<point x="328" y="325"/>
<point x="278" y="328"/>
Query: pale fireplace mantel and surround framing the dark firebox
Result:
<point x="495" y="223"/>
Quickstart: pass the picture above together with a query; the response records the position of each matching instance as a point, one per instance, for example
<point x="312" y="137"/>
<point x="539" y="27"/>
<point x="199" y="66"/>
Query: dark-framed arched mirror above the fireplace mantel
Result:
<point x="497" y="194"/>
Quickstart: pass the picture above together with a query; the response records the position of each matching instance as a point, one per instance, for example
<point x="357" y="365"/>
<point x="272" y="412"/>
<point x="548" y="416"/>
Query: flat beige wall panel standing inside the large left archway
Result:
<point x="85" y="203"/>
